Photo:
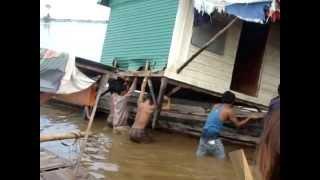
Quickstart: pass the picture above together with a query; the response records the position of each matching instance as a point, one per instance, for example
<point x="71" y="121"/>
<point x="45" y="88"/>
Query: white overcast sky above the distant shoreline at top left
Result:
<point x="75" y="9"/>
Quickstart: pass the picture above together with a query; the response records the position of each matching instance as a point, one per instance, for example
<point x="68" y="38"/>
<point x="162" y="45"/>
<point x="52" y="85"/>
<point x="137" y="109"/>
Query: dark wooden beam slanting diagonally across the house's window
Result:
<point x="206" y="45"/>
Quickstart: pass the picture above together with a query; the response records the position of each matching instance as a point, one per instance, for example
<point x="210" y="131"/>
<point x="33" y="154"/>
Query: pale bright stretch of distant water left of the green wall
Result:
<point x="84" y="39"/>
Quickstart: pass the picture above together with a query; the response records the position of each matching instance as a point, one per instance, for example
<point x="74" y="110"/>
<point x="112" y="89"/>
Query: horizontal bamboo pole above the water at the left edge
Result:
<point x="61" y="136"/>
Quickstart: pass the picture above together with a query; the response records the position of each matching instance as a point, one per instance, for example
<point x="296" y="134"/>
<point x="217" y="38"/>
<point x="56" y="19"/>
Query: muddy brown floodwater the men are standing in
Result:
<point x="115" y="157"/>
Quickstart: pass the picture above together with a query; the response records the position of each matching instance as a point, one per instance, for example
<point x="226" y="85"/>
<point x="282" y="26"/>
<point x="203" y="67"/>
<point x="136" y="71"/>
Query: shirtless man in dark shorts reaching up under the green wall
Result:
<point x="138" y="132"/>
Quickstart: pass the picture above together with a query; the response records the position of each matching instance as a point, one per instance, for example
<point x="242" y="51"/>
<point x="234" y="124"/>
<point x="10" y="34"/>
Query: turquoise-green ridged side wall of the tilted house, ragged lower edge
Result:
<point x="139" y="30"/>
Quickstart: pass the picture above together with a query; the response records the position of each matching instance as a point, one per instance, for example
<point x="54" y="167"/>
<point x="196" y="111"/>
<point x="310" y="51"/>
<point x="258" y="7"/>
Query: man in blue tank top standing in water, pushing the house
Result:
<point x="210" y="143"/>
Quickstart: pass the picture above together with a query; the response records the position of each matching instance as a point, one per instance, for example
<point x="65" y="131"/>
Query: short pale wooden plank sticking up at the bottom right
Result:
<point x="240" y="165"/>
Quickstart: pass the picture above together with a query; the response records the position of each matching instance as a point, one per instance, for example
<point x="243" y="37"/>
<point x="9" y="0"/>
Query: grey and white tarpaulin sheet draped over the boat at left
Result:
<point x="59" y="74"/>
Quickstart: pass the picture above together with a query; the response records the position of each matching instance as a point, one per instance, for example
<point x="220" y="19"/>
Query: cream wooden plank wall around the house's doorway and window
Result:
<point x="213" y="72"/>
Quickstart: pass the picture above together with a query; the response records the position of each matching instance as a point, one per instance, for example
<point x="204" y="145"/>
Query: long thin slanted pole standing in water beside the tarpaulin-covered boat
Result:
<point x="101" y="87"/>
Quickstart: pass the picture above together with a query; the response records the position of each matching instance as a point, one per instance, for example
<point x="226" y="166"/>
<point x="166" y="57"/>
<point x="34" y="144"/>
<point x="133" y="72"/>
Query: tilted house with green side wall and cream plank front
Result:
<point x="173" y="36"/>
